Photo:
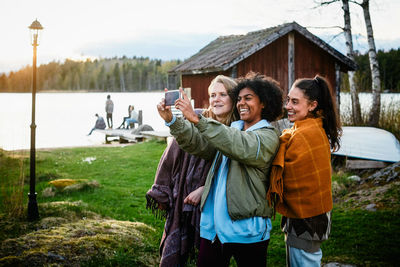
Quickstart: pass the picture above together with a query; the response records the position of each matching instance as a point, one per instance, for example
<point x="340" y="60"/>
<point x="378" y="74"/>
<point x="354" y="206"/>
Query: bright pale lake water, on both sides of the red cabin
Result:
<point x="64" y="119"/>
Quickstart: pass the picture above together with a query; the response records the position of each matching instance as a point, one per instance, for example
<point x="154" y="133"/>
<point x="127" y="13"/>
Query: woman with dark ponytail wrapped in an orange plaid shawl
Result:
<point x="301" y="173"/>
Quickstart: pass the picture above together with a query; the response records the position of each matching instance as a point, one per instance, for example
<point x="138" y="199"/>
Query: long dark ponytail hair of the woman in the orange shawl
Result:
<point x="319" y="89"/>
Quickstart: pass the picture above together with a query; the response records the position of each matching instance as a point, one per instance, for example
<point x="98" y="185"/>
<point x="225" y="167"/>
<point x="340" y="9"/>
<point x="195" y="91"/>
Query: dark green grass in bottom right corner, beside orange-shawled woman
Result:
<point x="364" y="238"/>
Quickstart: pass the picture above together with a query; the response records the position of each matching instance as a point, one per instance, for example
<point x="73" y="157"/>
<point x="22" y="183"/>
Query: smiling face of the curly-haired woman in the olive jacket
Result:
<point x="249" y="107"/>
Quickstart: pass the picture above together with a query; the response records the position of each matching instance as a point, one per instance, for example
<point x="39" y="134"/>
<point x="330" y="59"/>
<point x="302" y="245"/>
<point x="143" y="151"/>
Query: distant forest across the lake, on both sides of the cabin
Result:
<point x="144" y="74"/>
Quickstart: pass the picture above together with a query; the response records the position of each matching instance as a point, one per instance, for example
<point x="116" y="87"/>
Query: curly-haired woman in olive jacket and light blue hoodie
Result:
<point x="235" y="216"/>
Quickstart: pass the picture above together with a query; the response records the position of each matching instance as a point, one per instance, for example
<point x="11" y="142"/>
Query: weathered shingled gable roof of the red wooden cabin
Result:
<point x="226" y="51"/>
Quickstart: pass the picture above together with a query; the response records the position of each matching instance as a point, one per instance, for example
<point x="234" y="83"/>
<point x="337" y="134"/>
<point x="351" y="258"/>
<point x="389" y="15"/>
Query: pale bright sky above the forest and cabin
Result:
<point x="172" y="29"/>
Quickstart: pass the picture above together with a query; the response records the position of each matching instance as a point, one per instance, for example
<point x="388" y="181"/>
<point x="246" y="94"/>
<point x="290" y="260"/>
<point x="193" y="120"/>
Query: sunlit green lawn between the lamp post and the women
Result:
<point x="124" y="173"/>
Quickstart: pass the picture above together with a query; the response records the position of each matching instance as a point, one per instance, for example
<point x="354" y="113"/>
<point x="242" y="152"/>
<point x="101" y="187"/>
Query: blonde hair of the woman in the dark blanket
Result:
<point x="229" y="83"/>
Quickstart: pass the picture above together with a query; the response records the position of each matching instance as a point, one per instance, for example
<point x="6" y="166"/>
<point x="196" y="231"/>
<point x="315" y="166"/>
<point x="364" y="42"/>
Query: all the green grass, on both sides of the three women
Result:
<point x="126" y="173"/>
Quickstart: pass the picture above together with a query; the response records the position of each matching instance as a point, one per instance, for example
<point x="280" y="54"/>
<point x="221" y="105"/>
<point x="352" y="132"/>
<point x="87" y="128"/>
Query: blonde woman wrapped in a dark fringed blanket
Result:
<point x="179" y="182"/>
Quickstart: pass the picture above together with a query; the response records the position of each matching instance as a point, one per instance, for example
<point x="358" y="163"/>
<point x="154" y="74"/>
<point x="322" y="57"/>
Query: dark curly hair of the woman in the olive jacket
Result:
<point x="267" y="90"/>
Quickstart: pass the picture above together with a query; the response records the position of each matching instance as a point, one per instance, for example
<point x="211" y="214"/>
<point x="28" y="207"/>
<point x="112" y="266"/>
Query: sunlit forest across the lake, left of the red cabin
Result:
<point x="106" y="74"/>
